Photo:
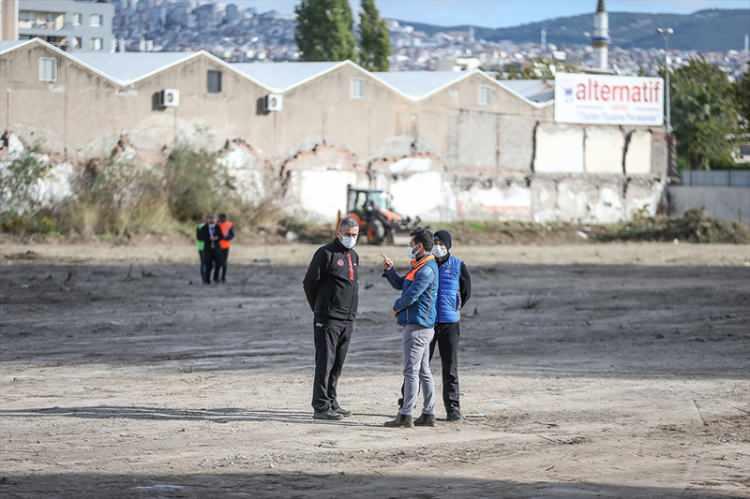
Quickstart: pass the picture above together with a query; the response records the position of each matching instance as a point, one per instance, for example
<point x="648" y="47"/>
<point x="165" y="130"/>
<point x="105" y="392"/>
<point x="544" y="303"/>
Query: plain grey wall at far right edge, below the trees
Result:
<point x="724" y="203"/>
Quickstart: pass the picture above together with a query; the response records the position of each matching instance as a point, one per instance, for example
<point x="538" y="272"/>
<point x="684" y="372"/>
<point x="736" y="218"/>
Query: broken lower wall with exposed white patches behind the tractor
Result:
<point x="576" y="174"/>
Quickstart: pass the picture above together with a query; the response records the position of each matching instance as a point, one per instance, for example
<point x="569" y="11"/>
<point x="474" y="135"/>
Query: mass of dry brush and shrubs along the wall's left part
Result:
<point x="120" y="198"/>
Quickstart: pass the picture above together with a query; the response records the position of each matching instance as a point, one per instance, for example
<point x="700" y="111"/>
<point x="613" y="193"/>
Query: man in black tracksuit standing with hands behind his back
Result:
<point x="332" y="289"/>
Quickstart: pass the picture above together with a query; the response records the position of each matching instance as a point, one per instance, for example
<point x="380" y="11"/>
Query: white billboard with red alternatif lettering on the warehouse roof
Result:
<point x="609" y="100"/>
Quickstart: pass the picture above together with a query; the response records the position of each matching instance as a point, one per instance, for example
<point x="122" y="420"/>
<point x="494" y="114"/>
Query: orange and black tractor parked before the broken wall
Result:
<point x="377" y="221"/>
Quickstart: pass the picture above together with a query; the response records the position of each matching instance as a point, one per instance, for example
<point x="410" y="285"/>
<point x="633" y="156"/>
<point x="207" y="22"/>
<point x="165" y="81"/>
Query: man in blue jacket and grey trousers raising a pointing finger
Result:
<point x="416" y="311"/>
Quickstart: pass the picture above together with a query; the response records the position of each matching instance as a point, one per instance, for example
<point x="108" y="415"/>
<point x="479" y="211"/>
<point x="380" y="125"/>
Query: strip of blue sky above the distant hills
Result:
<point x="496" y="13"/>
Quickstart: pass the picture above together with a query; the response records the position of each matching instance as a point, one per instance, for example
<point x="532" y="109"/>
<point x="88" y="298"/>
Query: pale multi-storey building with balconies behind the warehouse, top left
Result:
<point x="84" y="25"/>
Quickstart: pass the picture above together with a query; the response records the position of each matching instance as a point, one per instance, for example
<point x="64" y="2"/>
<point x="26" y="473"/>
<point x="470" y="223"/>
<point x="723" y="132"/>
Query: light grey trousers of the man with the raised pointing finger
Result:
<point x="415" y="342"/>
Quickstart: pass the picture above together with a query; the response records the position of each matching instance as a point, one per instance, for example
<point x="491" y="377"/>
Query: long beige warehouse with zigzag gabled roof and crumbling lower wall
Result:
<point x="447" y="145"/>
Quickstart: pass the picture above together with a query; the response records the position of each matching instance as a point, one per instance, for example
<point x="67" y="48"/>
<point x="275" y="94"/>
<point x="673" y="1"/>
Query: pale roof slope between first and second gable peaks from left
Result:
<point x="126" y="67"/>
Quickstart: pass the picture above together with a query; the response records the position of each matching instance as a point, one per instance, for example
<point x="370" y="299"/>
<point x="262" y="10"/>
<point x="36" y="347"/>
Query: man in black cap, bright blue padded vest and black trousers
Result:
<point x="453" y="294"/>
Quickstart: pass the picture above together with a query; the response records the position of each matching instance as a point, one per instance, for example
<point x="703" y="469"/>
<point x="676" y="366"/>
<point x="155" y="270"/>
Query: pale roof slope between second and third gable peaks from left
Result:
<point x="281" y="76"/>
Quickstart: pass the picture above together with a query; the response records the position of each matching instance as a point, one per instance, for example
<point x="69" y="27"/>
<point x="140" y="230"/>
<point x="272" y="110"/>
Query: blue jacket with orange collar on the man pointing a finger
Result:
<point x="419" y="289"/>
